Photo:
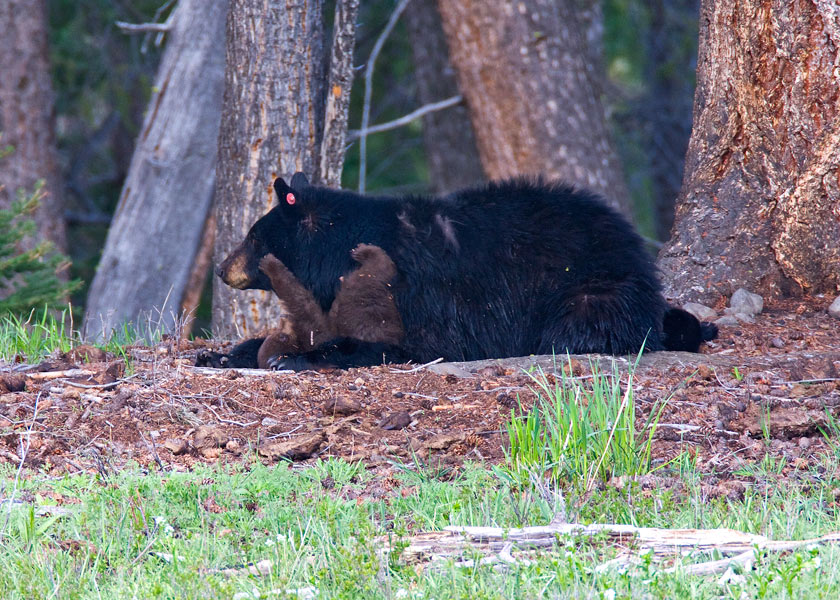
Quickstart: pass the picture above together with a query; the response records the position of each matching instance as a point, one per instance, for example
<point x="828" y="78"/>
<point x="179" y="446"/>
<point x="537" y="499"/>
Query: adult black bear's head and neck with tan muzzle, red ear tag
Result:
<point x="309" y="230"/>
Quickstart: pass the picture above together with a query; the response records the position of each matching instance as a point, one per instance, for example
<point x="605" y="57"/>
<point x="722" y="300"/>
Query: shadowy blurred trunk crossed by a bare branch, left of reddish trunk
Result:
<point x="448" y="138"/>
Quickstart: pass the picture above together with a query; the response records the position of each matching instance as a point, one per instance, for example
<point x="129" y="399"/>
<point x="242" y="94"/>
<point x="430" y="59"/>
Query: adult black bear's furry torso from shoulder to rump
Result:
<point x="521" y="267"/>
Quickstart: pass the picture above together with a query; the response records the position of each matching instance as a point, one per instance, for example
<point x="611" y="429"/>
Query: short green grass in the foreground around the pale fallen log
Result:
<point x="166" y="535"/>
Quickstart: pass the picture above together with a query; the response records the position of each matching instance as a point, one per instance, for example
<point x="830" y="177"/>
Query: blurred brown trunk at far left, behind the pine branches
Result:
<point x="26" y="114"/>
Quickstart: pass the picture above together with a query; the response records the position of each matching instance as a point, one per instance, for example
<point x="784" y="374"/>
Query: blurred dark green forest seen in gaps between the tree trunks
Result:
<point x="102" y="80"/>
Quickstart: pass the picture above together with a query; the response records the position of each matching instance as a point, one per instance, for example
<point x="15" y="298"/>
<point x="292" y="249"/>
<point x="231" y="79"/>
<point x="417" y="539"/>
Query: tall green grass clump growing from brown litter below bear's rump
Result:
<point x="581" y="429"/>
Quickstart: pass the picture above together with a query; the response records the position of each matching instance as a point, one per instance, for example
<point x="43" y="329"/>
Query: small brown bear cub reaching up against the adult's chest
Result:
<point x="363" y="308"/>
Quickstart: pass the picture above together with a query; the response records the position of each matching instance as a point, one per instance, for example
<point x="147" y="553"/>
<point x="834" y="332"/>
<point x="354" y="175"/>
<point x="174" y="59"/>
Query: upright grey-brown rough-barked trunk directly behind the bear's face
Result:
<point x="272" y="119"/>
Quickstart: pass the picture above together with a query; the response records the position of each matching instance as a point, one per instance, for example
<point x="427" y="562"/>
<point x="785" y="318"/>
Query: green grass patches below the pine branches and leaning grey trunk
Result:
<point x="40" y="334"/>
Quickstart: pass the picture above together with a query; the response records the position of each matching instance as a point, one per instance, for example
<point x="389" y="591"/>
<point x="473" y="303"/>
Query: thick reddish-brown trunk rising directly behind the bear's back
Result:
<point x="523" y="68"/>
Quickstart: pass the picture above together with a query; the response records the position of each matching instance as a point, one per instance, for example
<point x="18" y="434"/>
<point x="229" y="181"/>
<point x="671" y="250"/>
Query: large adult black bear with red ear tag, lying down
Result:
<point x="512" y="268"/>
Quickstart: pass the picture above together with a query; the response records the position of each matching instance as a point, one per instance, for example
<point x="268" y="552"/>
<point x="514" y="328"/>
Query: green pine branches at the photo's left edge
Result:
<point x="29" y="277"/>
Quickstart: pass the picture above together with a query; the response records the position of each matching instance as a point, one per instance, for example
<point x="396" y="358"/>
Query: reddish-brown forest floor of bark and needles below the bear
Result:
<point x="750" y="409"/>
